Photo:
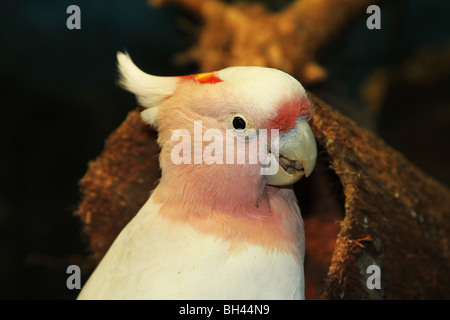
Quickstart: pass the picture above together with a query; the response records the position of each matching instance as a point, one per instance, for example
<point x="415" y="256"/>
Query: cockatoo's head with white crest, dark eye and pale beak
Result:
<point x="222" y="108"/>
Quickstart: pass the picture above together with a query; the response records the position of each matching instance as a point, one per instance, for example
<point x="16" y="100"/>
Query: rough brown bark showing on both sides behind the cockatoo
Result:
<point x="395" y="216"/>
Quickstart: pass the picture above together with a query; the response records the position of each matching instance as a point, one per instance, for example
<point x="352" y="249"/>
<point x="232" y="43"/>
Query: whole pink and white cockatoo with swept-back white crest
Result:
<point x="215" y="228"/>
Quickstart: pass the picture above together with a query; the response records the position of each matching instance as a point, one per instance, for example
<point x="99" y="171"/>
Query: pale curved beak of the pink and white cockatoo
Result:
<point x="297" y="154"/>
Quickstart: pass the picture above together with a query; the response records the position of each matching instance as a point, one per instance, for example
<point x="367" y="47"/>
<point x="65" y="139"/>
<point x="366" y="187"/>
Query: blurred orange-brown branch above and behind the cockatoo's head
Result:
<point x="249" y="34"/>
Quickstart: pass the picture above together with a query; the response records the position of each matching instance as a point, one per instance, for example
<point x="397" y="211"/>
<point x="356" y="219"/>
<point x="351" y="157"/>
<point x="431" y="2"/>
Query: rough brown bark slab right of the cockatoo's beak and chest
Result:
<point x="396" y="217"/>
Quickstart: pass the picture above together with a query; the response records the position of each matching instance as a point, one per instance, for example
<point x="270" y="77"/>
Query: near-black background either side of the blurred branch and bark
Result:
<point x="59" y="102"/>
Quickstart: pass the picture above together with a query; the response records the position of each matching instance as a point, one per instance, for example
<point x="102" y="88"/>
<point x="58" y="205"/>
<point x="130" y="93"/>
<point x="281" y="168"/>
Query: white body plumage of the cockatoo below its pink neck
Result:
<point x="158" y="258"/>
